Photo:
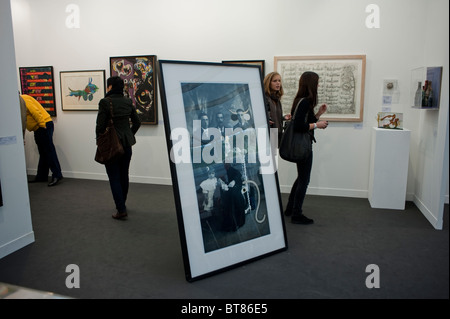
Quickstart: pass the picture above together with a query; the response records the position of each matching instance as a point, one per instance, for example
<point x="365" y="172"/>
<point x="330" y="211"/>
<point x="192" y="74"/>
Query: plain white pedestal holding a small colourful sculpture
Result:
<point x="389" y="168"/>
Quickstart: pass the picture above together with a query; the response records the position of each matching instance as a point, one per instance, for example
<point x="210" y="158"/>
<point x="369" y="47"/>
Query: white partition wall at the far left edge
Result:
<point x="16" y="229"/>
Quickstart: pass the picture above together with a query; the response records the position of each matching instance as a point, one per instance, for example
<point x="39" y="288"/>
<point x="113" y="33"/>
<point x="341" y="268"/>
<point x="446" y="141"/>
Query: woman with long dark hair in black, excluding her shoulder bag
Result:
<point x="305" y="101"/>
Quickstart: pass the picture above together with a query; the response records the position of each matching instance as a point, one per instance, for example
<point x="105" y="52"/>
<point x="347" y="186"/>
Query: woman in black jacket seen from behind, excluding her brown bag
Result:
<point x="123" y="112"/>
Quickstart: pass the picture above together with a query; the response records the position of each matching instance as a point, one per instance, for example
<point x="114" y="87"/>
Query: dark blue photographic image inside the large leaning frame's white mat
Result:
<point x="230" y="192"/>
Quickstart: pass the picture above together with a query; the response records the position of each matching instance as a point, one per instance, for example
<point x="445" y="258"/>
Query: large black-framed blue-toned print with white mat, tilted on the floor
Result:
<point x="223" y="172"/>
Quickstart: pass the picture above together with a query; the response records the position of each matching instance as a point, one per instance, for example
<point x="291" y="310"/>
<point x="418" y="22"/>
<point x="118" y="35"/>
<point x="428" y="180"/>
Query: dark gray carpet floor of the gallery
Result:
<point x="141" y="257"/>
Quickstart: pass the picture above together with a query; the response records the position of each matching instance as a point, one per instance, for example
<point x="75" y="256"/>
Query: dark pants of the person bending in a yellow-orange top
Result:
<point x="48" y="159"/>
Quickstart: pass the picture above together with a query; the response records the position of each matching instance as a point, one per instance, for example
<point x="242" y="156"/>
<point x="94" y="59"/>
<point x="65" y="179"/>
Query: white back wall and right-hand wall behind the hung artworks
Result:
<point x="411" y="34"/>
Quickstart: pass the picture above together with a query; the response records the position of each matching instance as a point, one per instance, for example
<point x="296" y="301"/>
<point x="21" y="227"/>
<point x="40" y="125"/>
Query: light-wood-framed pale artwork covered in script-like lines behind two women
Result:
<point x="341" y="83"/>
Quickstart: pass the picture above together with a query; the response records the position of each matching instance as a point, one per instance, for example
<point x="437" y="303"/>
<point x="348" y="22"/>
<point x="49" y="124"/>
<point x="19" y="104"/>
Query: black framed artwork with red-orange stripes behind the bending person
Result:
<point x="38" y="82"/>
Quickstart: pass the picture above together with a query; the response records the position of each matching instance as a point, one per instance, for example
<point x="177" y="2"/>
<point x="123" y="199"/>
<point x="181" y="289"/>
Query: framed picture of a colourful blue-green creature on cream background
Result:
<point x="82" y="90"/>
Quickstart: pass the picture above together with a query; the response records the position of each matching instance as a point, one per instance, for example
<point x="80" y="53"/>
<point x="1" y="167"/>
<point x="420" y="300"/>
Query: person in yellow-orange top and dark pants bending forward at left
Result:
<point x="40" y="122"/>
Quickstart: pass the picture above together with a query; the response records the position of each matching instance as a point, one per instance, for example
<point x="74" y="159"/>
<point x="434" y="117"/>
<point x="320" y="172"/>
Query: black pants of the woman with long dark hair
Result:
<point x="298" y="191"/>
